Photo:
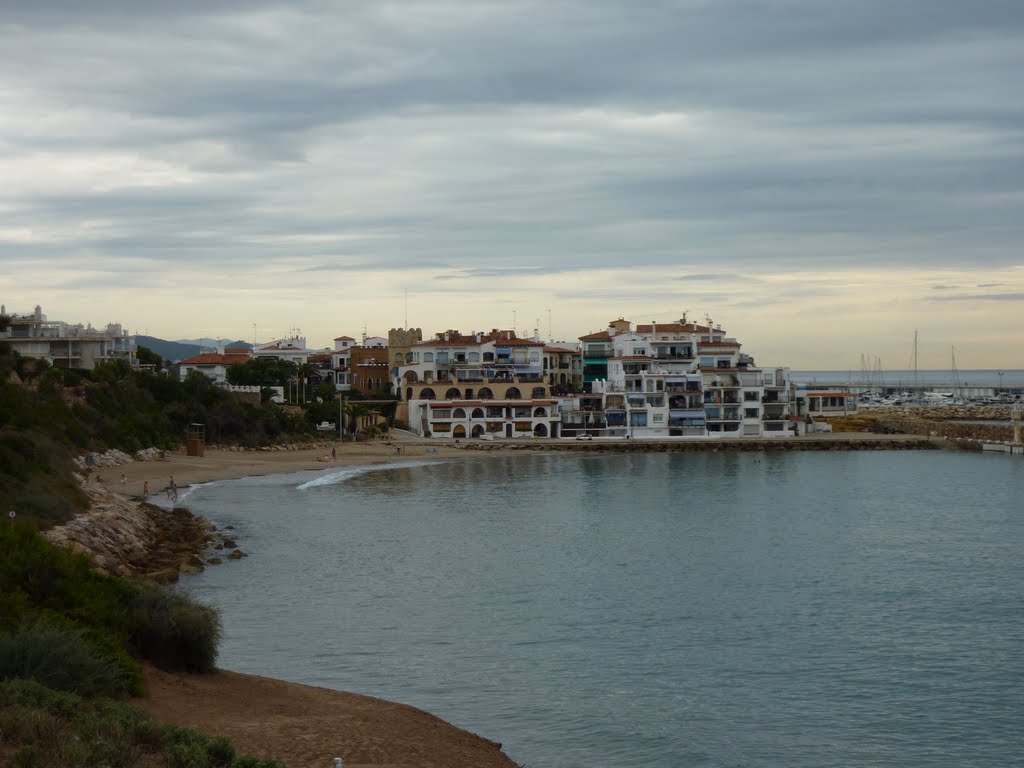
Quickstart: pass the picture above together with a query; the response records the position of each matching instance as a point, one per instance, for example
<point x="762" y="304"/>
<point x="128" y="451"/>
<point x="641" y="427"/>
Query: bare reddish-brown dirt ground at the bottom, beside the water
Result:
<point x="307" y="728"/>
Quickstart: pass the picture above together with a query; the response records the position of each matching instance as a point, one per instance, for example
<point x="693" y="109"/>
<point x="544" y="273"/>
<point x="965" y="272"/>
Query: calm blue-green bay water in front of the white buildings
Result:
<point x="657" y="611"/>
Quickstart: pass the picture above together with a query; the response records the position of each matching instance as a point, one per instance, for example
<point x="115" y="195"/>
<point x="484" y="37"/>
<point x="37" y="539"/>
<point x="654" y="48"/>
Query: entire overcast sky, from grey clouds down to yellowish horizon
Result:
<point x="822" y="179"/>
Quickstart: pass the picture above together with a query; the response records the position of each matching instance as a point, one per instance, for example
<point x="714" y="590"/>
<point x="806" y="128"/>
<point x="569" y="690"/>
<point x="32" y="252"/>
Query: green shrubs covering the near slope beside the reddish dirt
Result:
<point x="71" y="642"/>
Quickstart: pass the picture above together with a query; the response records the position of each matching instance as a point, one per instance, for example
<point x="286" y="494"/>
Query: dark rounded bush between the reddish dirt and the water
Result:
<point x="177" y="632"/>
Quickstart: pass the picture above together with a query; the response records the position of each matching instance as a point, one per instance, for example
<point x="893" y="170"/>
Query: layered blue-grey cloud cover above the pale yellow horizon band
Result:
<point x="521" y="139"/>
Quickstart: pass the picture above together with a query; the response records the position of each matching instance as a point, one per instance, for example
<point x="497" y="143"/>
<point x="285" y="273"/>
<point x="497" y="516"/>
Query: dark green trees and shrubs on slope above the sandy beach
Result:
<point x="50" y="415"/>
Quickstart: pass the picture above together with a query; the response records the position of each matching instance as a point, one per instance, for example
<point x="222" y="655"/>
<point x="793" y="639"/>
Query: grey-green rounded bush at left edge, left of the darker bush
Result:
<point x="61" y="658"/>
